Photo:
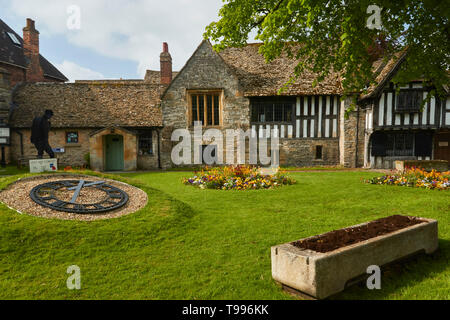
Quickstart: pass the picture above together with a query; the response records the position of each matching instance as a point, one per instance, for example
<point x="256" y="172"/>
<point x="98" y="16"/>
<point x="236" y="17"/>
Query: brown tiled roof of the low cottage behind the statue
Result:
<point x="93" y="104"/>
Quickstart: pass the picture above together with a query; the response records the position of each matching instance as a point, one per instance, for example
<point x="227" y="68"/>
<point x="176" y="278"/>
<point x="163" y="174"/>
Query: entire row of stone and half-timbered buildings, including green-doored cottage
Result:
<point x="128" y="124"/>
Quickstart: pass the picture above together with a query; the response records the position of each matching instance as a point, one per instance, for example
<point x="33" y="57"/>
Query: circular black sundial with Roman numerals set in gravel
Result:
<point x="79" y="196"/>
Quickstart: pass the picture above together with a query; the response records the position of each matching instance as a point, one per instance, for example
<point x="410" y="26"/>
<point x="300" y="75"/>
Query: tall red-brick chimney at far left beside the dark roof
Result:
<point x="31" y="52"/>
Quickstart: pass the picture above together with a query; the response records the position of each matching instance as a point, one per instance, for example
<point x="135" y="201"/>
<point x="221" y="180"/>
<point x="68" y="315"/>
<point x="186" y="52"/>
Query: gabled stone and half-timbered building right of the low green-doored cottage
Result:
<point x="236" y="88"/>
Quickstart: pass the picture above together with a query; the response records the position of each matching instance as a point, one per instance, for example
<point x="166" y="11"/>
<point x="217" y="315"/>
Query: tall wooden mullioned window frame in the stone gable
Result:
<point x="205" y="93"/>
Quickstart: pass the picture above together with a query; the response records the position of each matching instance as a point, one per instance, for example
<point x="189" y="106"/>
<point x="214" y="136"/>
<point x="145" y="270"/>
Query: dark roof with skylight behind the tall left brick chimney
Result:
<point x="13" y="54"/>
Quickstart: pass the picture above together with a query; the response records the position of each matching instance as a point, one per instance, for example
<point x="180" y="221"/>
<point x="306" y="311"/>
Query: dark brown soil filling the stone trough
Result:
<point x="344" y="237"/>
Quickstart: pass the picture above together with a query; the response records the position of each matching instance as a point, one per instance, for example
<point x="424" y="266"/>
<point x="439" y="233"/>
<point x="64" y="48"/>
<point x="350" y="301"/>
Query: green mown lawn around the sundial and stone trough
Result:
<point x="207" y="244"/>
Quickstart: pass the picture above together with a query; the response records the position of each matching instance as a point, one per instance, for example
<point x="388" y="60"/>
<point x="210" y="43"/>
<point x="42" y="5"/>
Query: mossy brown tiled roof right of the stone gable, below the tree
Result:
<point x="259" y="78"/>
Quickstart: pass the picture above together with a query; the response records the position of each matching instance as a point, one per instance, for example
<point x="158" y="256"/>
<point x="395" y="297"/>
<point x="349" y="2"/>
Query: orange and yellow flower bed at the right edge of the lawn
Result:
<point x="416" y="177"/>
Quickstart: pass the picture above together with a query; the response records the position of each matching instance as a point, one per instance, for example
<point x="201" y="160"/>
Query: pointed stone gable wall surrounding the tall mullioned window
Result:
<point x="205" y="70"/>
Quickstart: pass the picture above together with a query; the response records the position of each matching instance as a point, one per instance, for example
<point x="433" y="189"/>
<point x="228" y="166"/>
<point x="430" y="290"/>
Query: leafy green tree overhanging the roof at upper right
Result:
<point x="344" y="36"/>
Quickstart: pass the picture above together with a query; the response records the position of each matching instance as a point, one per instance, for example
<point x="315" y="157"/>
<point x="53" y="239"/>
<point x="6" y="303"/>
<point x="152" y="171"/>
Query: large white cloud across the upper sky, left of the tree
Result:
<point x="124" y="29"/>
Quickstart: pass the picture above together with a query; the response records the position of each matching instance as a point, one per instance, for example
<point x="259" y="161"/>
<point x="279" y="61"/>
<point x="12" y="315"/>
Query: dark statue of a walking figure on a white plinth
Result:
<point x="39" y="134"/>
